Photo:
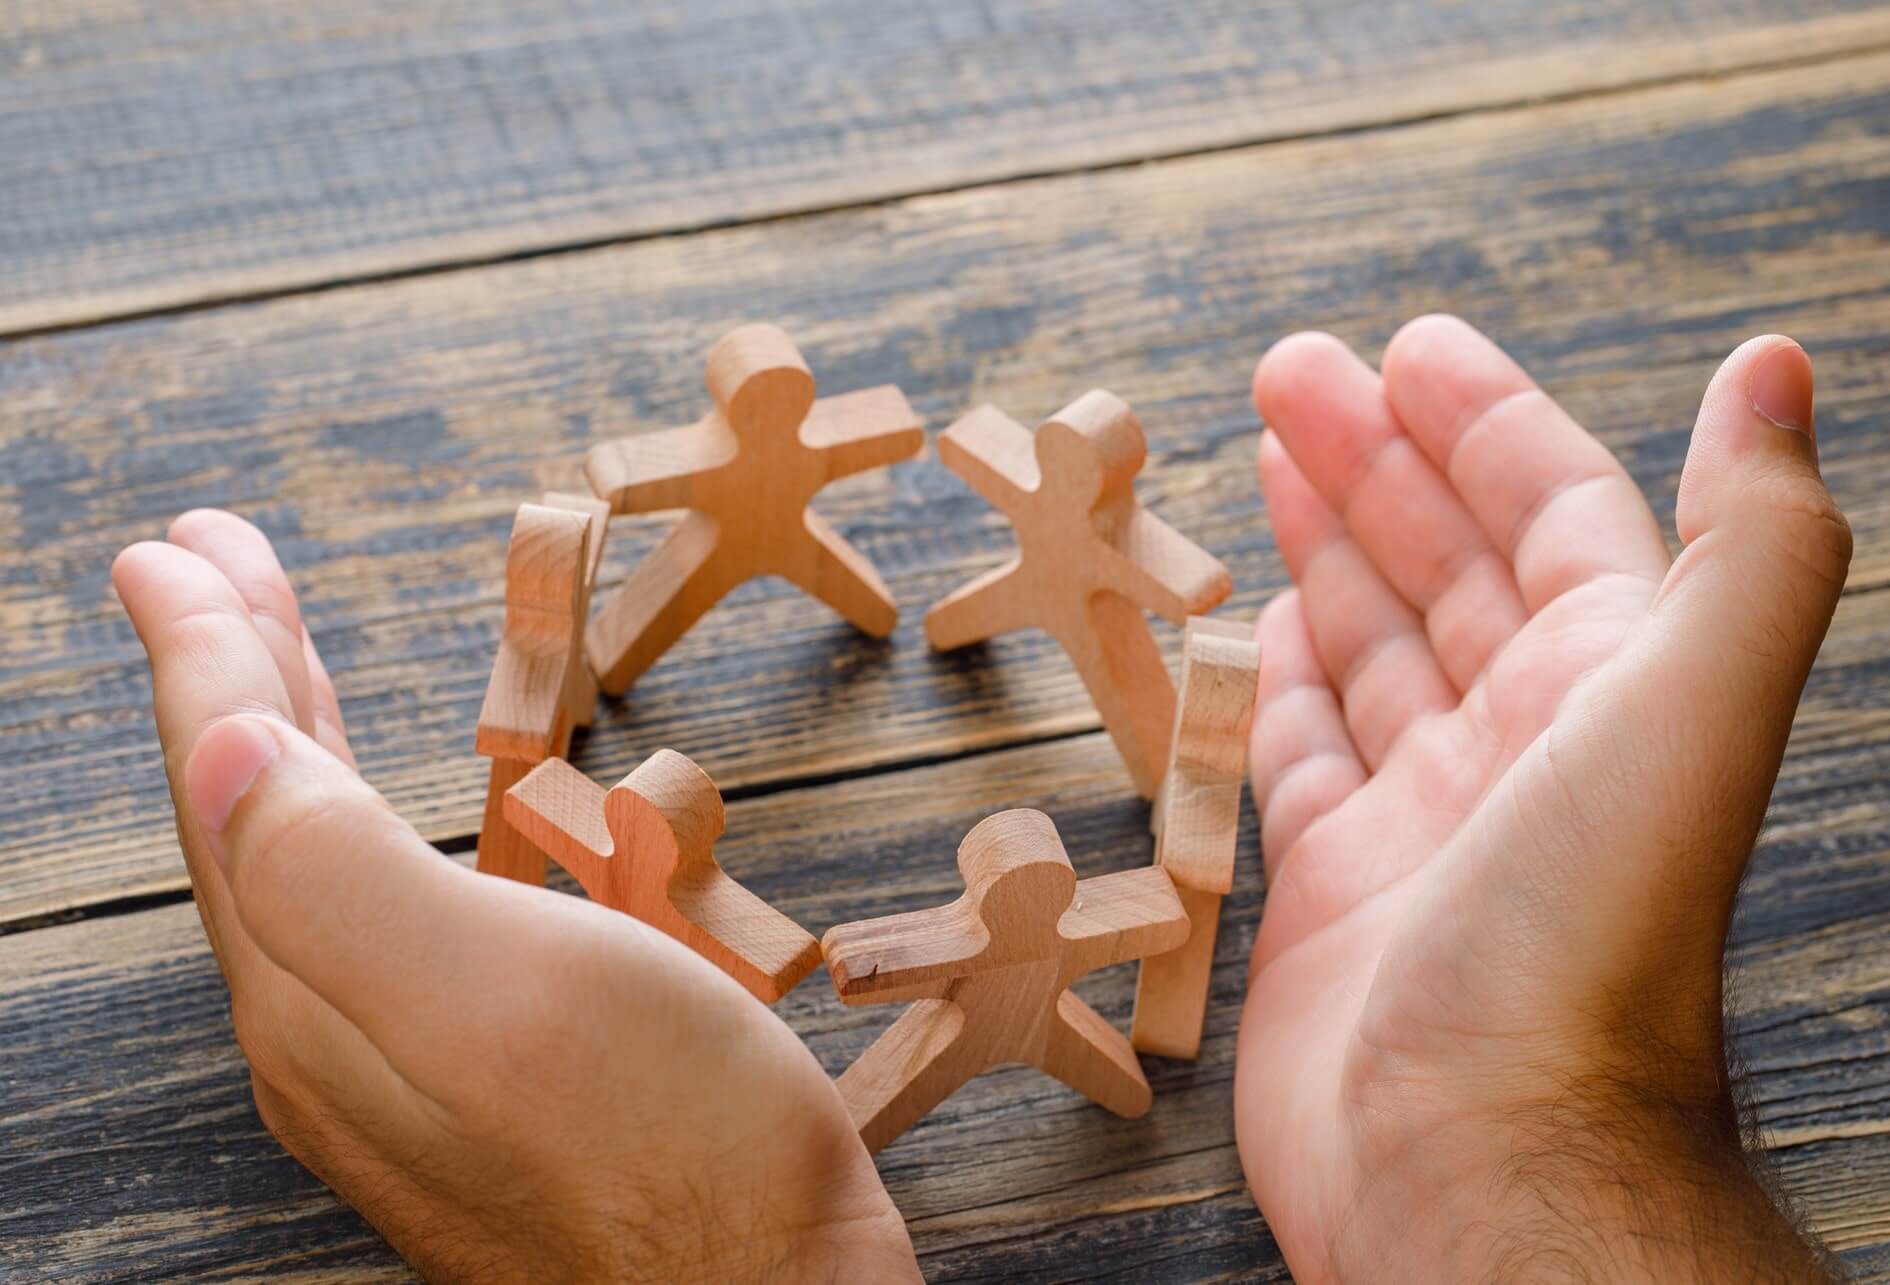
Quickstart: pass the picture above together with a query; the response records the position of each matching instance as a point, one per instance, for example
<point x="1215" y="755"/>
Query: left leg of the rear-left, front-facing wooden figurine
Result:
<point x="668" y="594"/>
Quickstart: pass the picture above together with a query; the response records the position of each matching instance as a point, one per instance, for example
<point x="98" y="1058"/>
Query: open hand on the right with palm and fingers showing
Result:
<point x="1511" y="761"/>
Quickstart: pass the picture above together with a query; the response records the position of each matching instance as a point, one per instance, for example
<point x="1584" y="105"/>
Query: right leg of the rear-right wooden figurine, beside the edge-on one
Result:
<point x="1129" y="685"/>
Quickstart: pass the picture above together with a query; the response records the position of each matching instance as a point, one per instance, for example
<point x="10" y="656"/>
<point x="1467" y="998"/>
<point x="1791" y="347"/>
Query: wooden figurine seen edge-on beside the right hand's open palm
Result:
<point x="1197" y="821"/>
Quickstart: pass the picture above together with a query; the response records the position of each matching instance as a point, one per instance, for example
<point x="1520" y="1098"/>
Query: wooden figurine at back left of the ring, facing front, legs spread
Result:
<point x="747" y="473"/>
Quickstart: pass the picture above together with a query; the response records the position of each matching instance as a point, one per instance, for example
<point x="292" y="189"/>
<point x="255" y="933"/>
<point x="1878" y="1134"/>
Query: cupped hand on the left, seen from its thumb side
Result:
<point x="506" y="1082"/>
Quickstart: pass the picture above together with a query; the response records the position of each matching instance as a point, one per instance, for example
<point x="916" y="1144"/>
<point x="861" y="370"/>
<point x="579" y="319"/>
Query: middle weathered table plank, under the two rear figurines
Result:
<point x="385" y="434"/>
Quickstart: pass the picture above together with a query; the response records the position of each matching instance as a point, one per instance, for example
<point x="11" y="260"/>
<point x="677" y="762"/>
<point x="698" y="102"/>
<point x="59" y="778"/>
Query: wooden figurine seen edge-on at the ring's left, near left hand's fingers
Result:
<point x="541" y="689"/>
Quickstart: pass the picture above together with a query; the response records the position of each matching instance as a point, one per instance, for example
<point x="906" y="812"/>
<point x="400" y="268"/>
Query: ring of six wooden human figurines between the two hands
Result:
<point x="986" y="978"/>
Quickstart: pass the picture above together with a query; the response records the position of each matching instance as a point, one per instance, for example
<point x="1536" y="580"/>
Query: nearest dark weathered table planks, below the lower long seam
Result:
<point x="122" y="1080"/>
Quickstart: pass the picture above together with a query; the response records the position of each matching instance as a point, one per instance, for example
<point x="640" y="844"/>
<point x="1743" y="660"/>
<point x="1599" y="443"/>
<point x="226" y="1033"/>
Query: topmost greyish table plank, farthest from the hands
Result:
<point x="160" y="154"/>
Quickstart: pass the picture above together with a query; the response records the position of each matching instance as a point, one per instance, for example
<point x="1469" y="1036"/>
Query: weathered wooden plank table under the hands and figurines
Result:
<point x="377" y="273"/>
